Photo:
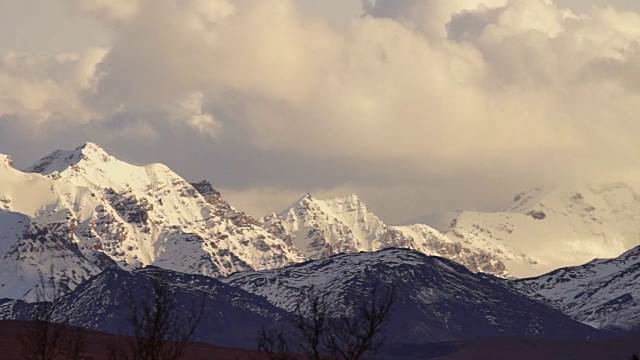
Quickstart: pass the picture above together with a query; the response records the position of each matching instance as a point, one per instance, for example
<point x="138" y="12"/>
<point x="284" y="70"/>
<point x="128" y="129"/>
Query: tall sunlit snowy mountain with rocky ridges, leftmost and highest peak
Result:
<point x="107" y="211"/>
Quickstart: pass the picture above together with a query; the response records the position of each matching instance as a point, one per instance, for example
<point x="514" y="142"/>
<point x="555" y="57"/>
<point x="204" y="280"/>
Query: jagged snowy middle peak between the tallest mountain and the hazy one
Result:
<point x="321" y="228"/>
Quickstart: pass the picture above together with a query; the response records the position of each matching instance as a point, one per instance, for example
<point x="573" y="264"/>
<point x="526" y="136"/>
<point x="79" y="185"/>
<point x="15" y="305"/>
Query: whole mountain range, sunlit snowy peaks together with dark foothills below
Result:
<point x="91" y="221"/>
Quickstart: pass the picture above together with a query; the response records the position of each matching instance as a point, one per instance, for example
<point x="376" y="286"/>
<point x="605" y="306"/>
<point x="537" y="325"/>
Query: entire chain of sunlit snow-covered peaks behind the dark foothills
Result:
<point x="91" y="211"/>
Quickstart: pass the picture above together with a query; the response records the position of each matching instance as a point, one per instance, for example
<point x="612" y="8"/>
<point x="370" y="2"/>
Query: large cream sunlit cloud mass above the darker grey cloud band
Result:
<point x="520" y="90"/>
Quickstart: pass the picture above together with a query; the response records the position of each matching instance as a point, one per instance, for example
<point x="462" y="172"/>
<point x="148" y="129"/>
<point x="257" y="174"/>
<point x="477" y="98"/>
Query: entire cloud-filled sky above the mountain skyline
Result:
<point x="417" y="106"/>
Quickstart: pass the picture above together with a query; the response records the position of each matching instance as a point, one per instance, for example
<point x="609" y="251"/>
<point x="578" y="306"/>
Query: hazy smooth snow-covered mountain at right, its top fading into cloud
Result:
<point x="548" y="228"/>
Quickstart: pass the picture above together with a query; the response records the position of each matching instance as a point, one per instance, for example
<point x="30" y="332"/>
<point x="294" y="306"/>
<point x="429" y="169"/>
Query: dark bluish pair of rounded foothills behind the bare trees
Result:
<point x="435" y="299"/>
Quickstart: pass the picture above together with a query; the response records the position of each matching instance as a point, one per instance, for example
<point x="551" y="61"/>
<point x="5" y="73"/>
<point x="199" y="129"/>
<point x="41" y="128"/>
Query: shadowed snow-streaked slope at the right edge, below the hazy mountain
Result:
<point x="602" y="293"/>
